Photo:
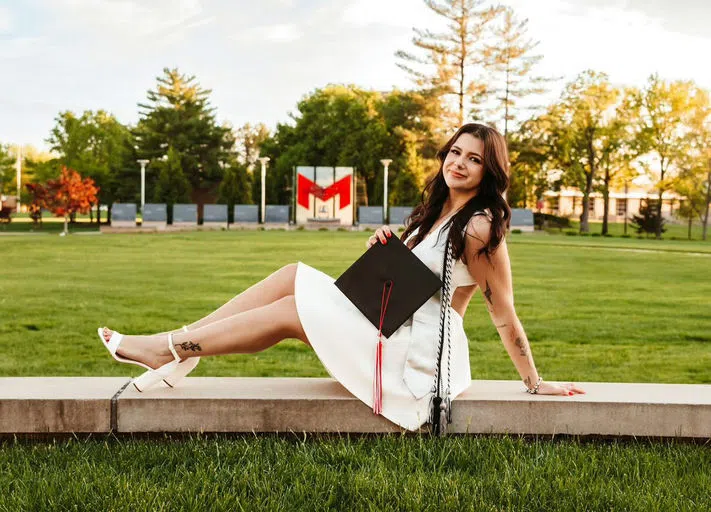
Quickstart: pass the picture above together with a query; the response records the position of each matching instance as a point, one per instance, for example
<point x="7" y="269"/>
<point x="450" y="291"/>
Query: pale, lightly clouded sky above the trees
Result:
<point x="260" y="58"/>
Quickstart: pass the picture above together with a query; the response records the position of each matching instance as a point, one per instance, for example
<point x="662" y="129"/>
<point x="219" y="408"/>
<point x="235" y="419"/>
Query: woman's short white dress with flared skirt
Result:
<point x="344" y="340"/>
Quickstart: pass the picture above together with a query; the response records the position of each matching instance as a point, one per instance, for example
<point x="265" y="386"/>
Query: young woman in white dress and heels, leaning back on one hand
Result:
<point x="464" y="202"/>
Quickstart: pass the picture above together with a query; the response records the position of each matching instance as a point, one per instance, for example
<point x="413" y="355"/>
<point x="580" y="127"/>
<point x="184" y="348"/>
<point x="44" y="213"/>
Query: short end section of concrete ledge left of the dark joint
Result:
<point x="57" y="404"/>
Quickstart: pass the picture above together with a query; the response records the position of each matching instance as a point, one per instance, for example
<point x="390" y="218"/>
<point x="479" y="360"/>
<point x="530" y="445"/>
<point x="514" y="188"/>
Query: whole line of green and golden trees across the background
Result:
<point x="482" y="66"/>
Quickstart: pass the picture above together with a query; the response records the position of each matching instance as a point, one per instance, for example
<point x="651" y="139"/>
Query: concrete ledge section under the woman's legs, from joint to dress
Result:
<point x="229" y="404"/>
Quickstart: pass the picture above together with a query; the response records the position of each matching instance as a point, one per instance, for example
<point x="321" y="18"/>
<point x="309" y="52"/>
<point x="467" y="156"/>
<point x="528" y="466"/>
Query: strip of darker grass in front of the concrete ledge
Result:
<point x="382" y="473"/>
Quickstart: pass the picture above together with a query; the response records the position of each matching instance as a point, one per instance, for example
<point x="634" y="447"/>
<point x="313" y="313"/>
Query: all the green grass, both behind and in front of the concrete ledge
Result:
<point x="594" y="309"/>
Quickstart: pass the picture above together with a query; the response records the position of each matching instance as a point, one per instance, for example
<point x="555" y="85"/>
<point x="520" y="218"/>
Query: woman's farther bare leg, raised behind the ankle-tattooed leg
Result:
<point x="277" y="285"/>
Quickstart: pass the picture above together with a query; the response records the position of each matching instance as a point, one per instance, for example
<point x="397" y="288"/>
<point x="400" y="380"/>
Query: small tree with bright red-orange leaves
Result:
<point x="70" y="194"/>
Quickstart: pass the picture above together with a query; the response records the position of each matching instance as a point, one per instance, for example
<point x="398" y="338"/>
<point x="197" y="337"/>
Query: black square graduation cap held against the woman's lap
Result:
<point x="392" y="266"/>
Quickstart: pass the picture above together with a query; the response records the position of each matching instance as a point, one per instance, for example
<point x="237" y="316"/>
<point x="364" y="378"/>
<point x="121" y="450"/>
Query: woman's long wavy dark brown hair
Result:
<point x="490" y="195"/>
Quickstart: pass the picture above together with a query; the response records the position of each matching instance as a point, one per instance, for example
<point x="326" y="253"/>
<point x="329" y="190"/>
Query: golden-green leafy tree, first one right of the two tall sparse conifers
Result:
<point x="582" y="132"/>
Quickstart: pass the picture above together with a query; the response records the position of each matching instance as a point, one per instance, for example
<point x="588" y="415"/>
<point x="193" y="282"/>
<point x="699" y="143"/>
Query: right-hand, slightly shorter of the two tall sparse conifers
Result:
<point x="514" y="62"/>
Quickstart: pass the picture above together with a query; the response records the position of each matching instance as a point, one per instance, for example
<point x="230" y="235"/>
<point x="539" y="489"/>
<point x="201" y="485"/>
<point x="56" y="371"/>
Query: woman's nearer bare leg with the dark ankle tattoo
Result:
<point x="246" y="332"/>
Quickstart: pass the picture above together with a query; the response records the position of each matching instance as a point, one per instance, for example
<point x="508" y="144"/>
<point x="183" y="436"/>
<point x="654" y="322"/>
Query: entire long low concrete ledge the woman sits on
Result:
<point x="242" y="404"/>
